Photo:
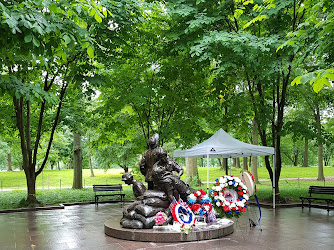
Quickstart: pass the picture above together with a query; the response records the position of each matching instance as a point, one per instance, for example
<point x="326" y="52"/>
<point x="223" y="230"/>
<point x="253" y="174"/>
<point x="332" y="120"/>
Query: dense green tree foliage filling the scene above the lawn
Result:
<point x="119" y="71"/>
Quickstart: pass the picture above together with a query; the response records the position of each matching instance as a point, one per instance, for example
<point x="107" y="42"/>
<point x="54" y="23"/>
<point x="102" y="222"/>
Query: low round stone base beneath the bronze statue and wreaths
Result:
<point x="202" y="231"/>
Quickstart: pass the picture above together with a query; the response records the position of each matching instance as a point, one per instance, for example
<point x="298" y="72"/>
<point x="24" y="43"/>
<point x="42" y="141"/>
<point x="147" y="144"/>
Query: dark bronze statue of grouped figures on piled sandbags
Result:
<point x="162" y="175"/>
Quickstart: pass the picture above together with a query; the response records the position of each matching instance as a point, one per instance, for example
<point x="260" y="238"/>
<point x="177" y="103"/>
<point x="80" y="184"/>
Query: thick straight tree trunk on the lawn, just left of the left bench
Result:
<point x="77" y="160"/>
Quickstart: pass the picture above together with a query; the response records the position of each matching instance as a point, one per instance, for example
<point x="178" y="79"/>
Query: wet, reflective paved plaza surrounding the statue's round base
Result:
<point x="82" y="227"/>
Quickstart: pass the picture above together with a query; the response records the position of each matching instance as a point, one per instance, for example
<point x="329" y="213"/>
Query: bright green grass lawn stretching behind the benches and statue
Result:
<point x="289" y="189"/>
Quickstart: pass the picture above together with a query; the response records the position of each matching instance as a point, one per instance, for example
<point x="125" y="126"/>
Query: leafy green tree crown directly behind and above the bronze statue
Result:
<point x="152" y="89"/>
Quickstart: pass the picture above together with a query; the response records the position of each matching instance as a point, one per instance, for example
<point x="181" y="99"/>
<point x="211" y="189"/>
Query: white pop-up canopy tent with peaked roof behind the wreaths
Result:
<point x="222" y="145"/>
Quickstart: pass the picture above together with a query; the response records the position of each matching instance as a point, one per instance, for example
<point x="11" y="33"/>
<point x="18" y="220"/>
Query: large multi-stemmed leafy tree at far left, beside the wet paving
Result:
<point x="43" y="43"/>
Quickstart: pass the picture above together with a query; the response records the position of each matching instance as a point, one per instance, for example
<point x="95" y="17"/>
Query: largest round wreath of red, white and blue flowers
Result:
<point x="230" y="196"/>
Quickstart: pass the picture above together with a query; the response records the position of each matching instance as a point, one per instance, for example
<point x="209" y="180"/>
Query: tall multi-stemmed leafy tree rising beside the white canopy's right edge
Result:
<point x="241" y="38"/>
